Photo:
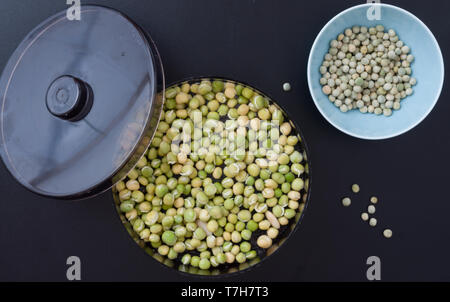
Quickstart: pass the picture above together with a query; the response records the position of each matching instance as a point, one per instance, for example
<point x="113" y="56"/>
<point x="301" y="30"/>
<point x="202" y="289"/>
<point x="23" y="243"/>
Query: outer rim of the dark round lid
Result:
<point x="155" y="71"/>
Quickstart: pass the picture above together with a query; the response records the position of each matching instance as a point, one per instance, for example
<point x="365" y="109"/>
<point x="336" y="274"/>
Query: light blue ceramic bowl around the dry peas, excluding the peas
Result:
<point x="428" y="68"/>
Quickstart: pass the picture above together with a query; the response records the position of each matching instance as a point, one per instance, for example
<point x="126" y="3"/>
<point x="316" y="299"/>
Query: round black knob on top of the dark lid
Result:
<point x="69" y="98"/>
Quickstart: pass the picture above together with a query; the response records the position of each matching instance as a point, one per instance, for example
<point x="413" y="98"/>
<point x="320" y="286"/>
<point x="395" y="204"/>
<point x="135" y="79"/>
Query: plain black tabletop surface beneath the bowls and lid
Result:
<point x="264" y="43"/>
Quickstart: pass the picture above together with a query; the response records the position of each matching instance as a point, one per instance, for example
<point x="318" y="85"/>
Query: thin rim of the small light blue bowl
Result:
<point x="397" y="133"/>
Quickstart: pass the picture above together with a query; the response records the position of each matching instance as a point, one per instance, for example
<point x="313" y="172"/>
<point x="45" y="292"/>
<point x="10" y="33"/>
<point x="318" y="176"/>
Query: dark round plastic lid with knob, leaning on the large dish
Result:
<point x="79" y="103"/>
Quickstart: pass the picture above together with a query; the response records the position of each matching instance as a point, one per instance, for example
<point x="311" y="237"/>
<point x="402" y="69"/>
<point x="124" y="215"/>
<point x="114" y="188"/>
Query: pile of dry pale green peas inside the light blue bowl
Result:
<point x="367" y="69"/>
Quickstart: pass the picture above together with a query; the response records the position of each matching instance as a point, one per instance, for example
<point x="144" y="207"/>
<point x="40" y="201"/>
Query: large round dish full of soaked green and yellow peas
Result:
<point x="223" y="184"/>
